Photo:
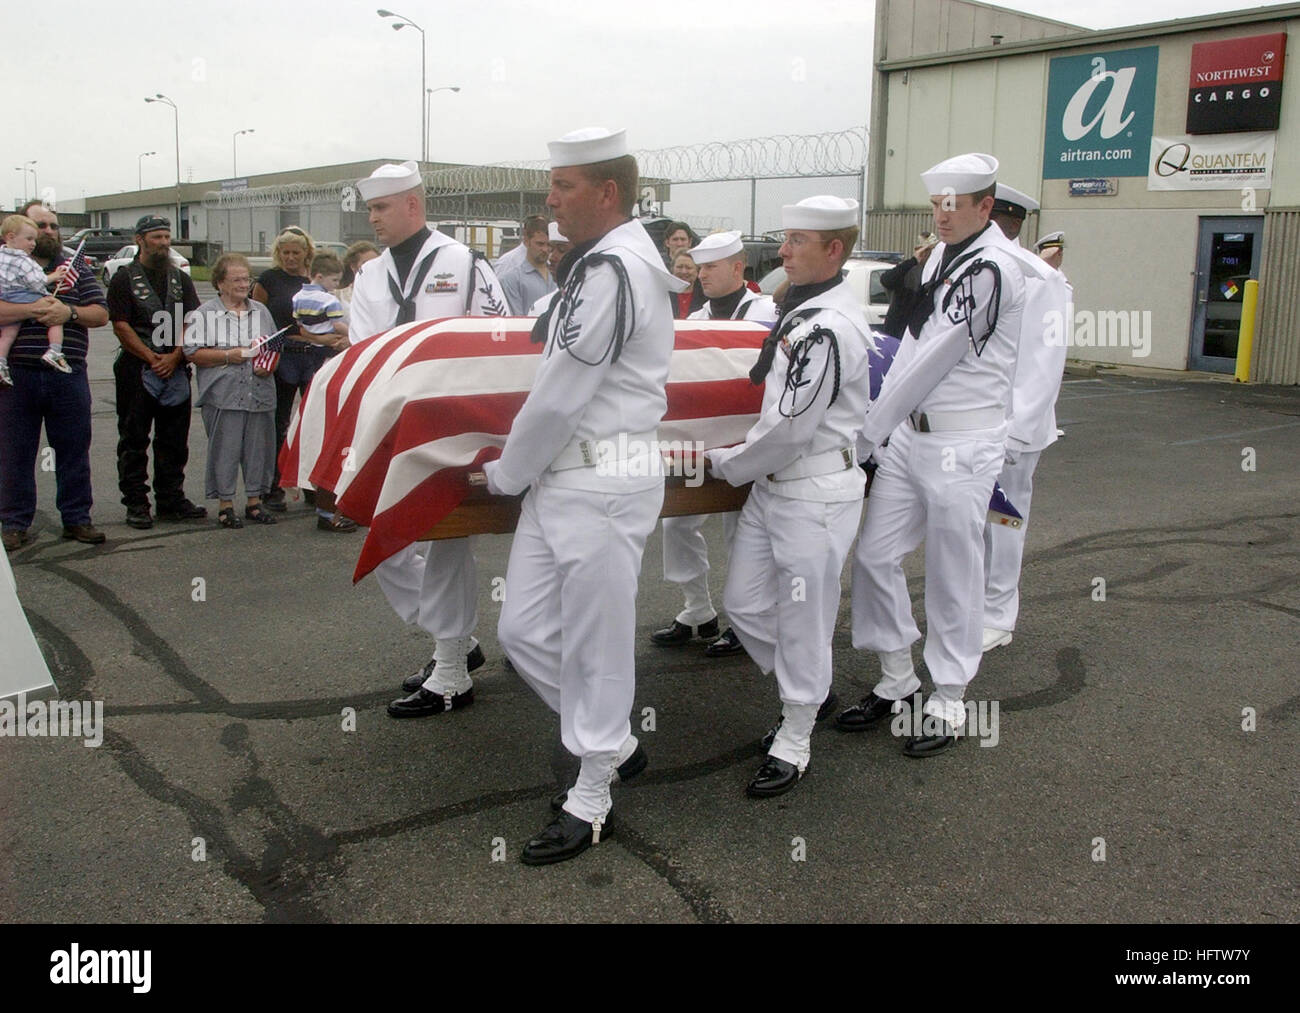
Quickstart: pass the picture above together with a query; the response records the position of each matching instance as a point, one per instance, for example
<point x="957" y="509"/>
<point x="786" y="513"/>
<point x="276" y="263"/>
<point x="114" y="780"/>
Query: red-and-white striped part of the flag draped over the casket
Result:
<point x="397" y="423"/>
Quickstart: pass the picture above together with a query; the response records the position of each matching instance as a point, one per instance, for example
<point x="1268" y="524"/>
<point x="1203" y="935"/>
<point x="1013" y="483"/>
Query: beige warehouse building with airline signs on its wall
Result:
<point x="1167" y="153"/>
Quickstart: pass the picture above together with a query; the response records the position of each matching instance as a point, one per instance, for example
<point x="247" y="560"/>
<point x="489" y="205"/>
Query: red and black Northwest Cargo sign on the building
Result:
<point x="1237" y="85"/>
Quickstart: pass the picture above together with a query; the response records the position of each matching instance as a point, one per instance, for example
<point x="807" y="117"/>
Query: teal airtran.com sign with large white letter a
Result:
<point x="1100" y="114"/>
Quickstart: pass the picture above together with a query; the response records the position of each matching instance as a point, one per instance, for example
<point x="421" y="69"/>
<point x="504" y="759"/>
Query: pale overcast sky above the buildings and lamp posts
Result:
<point x="330" y="81"/>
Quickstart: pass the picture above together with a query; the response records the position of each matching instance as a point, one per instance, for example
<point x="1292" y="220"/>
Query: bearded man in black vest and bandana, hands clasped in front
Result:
<point x="148" y="302"/>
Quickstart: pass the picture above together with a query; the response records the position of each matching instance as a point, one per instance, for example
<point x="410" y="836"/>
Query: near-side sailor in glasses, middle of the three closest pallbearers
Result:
<point x="795" y="534"/>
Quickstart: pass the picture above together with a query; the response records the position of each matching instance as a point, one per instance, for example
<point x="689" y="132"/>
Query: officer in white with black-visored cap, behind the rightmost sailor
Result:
<point x="1039" y="367"/>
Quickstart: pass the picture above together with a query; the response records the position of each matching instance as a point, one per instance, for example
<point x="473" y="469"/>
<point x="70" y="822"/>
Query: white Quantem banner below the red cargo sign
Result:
<point x="1212" y="163"/>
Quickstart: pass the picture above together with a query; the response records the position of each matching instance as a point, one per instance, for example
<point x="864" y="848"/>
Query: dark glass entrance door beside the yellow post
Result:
<point x="1228" y="257"/>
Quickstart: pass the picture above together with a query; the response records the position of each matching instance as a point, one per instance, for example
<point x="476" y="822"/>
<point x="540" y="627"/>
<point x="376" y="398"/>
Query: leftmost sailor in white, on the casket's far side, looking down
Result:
<point x="424" y="275"/>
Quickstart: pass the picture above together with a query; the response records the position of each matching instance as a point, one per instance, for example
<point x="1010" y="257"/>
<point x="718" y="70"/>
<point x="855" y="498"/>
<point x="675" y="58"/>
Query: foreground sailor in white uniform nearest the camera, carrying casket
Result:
<point x="584" y="448"/>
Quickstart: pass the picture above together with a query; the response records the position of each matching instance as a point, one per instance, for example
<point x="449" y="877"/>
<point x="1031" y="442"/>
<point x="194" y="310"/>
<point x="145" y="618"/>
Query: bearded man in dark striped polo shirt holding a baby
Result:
<point x="42" y="396"/>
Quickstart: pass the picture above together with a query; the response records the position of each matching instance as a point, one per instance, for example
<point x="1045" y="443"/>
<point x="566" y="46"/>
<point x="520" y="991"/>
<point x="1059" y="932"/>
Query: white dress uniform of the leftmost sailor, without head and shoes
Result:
<point x="432" y="585"/>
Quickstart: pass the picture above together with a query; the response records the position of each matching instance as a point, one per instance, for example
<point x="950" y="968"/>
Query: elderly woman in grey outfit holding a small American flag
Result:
<point x="237" y="399"/>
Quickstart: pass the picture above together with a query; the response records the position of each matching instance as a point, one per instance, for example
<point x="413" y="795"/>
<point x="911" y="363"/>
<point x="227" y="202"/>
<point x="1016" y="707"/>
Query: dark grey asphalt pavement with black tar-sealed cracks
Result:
<point x="1145" y="765"/>
